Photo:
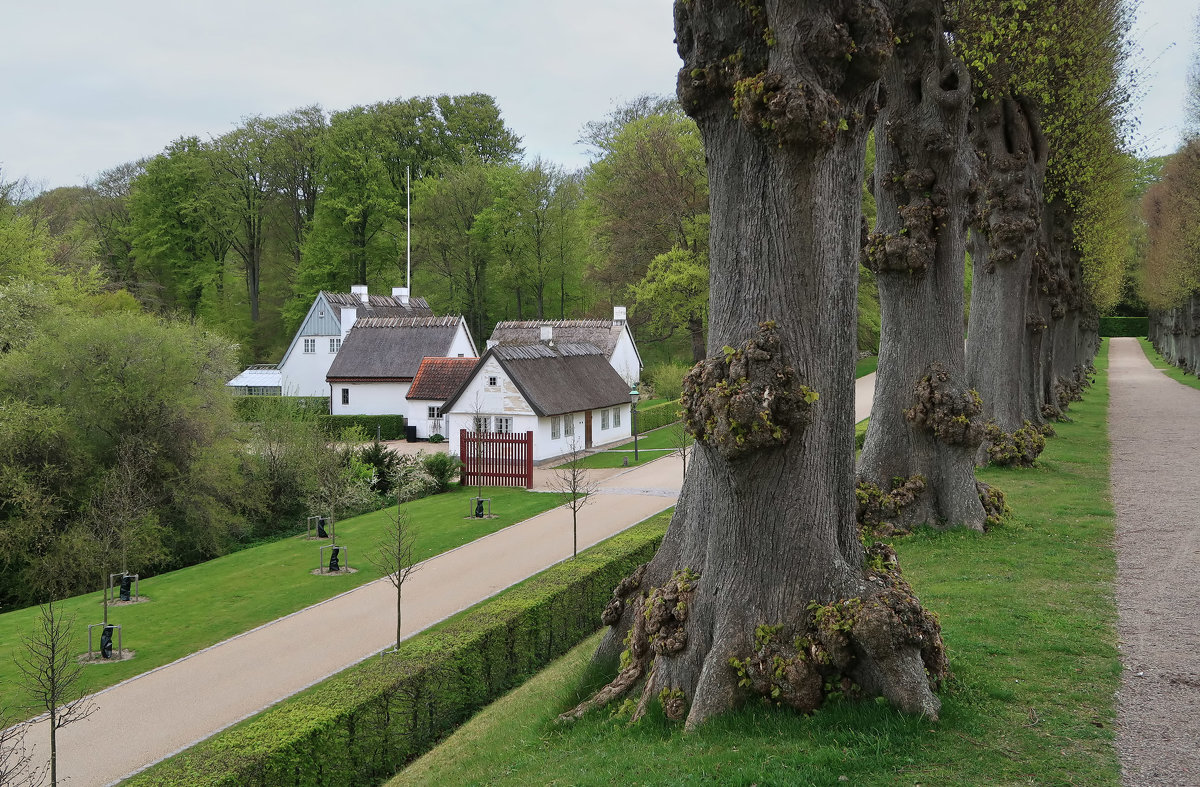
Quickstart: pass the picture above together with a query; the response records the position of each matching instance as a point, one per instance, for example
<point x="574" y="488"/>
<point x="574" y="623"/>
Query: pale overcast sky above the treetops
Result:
<point x="89" y="86"/>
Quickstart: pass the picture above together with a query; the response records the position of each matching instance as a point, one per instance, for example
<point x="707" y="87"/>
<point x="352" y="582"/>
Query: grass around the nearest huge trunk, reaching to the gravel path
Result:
<point x="1029" y="617"/>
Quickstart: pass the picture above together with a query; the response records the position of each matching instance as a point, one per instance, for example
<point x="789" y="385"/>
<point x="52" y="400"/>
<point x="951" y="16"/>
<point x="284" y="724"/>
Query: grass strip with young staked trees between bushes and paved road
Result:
<point x="202" y="605"/>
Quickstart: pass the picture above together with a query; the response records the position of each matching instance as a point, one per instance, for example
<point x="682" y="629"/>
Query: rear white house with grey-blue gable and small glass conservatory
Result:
<point x="303" y="370"/>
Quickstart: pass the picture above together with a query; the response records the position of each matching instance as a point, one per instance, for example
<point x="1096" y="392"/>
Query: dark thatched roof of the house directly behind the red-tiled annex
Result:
<point x="392" y="349"/>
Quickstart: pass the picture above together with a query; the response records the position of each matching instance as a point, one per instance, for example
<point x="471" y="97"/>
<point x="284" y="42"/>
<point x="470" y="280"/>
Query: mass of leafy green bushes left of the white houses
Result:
<point x="119" y="446"/>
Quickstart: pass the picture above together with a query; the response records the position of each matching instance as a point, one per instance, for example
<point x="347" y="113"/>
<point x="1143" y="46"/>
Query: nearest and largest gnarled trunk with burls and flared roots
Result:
<point x="765" y="527"/>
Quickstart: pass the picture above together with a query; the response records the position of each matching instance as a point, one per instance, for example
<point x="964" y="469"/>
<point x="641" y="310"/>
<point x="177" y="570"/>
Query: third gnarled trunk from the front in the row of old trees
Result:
<point x="1004" y="243"/>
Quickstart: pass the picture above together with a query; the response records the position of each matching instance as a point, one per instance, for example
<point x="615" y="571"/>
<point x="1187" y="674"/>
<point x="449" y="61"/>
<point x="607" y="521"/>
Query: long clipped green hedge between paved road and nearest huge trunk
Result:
<point x="362" y="726"/>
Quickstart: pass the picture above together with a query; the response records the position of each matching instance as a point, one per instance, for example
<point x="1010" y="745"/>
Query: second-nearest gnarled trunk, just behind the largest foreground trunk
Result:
<point x="925" y="422"/>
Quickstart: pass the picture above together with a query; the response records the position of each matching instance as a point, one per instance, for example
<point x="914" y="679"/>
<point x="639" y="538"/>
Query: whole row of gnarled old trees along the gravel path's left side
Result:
<point x="997" y="127"/>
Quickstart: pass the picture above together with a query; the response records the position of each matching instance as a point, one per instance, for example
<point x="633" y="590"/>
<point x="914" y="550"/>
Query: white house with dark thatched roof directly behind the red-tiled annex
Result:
<point x="381" y="357"/>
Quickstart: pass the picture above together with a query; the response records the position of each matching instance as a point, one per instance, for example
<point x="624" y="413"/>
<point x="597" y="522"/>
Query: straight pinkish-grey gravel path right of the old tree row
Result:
<point x="1156" y="489"/>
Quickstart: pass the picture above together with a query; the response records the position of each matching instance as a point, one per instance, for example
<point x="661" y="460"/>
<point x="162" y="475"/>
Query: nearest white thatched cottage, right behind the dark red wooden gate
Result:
<point x="565" y="394"/>
